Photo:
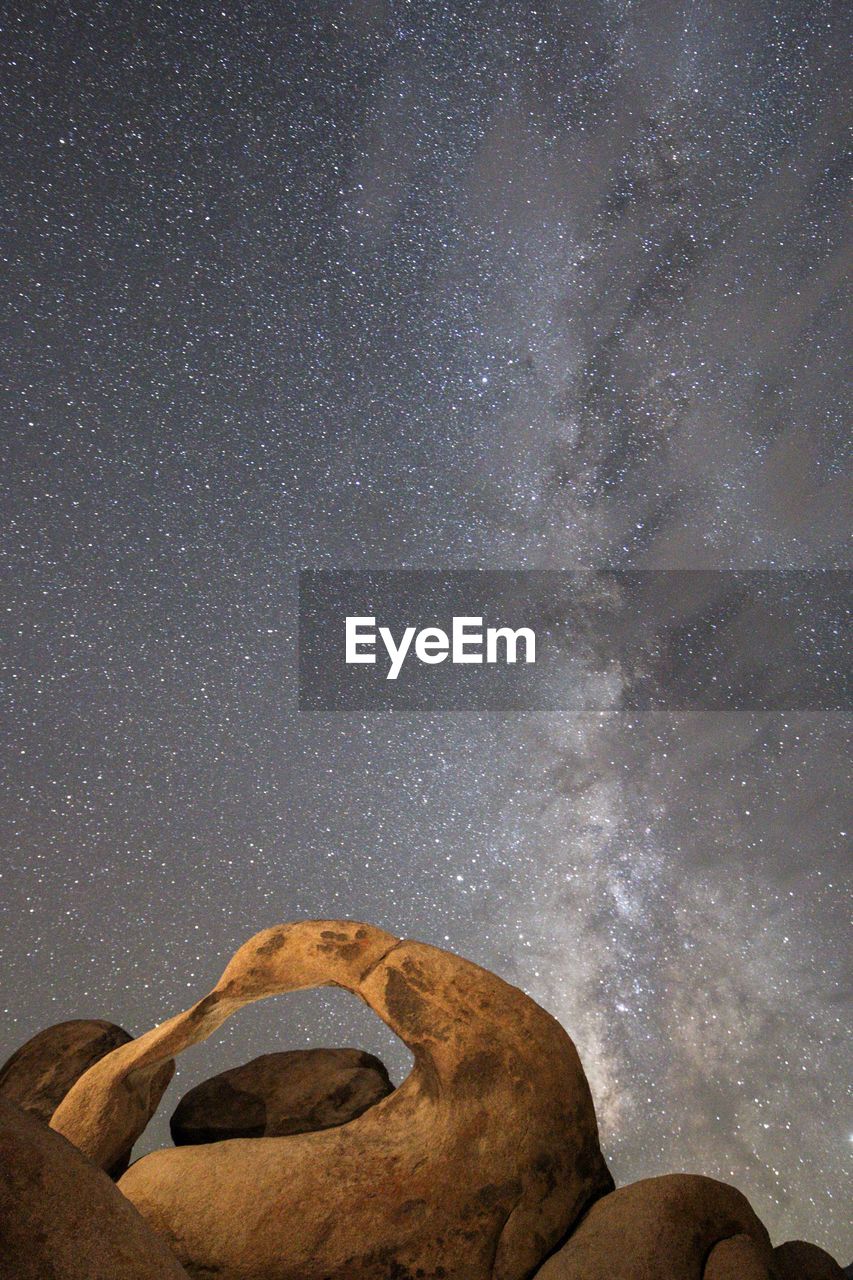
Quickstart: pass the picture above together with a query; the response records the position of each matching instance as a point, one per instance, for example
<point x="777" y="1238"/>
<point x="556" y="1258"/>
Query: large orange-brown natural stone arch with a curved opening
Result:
<point x="472" y="1171"/>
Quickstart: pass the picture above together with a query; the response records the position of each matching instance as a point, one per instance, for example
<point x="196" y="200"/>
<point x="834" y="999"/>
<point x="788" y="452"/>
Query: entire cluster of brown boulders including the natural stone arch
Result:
<point x="483" y="1165"/>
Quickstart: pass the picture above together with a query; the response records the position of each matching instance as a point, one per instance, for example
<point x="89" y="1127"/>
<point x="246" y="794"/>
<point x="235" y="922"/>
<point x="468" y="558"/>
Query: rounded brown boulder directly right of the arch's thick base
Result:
<point x="665" y="1229"/>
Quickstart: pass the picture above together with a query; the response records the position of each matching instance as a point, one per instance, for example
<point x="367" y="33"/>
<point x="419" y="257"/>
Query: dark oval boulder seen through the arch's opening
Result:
<point x="276" y="1095"/>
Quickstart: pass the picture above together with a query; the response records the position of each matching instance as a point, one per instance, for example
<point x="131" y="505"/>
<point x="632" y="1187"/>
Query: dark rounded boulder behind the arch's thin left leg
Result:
<point x="40" y="1073"/>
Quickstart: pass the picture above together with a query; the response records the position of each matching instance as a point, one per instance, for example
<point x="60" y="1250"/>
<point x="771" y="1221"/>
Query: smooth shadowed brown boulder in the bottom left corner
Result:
<point x="63" y="1219"/>
